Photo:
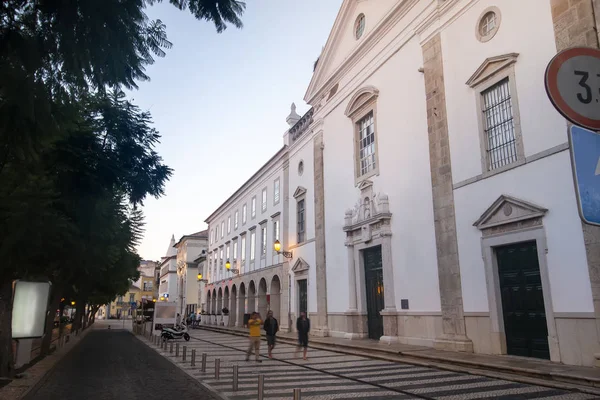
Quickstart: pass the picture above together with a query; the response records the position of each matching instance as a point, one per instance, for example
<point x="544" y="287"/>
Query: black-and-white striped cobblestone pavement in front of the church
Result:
<point x="330" y="375"/>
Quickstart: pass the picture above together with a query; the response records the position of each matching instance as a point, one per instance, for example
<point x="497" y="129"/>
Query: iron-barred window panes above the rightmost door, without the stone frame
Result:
<point x="499" y="127"/>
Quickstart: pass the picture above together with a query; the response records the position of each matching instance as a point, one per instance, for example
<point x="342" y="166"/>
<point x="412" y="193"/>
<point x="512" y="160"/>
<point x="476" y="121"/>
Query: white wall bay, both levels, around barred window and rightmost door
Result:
<point x="546" y="182"/>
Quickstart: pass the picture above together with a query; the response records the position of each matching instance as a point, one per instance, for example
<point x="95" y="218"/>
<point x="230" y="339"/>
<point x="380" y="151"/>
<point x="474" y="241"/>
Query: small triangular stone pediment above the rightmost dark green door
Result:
<point x="507" y="210"/>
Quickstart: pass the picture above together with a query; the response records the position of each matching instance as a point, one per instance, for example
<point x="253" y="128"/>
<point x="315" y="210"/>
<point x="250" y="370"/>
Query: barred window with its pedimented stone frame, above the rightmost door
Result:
<point x="500" y="136"/>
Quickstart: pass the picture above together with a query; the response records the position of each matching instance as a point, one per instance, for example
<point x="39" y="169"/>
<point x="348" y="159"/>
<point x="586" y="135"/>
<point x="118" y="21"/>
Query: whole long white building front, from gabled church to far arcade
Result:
<point x="427" y="196"/>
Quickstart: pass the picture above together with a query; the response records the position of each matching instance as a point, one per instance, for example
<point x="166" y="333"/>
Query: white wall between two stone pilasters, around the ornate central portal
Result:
<point x="404" y="175"/>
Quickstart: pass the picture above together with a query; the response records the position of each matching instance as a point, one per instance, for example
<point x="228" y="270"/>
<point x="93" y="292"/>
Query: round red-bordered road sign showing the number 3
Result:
<point x="573" y="85"/>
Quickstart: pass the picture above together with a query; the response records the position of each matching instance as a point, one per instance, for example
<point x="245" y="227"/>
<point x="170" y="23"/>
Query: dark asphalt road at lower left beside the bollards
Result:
<point x="114" y="364"/>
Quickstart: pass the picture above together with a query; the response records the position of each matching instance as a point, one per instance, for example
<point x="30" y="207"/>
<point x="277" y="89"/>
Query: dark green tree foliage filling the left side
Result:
<point x="76" y="158"/>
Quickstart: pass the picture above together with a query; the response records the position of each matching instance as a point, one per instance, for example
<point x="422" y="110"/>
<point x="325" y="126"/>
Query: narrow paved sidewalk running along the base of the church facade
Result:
<point x="538" y="369"/>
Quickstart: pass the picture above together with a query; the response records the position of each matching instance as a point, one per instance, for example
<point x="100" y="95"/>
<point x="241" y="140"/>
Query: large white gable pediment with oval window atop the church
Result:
<point x="342" y="43"/>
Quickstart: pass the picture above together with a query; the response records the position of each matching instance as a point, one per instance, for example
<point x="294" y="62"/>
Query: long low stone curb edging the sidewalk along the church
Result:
<point x="551" y="381"/>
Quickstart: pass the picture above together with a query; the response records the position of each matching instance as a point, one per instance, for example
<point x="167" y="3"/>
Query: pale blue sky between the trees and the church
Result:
<point x="220" y="102"/>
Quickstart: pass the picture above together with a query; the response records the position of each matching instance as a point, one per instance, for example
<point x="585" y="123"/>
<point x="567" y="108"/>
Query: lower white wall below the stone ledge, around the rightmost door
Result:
<point x="567" y="264"/>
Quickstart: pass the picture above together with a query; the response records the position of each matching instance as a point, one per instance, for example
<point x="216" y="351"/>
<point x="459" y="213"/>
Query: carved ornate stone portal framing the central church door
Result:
<point x="366" y="226"/>
